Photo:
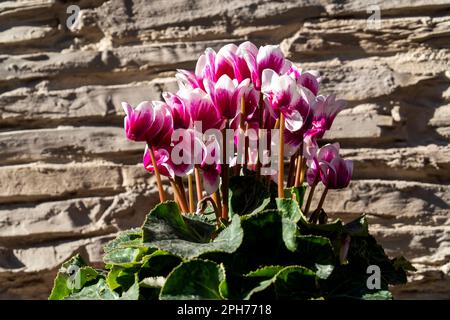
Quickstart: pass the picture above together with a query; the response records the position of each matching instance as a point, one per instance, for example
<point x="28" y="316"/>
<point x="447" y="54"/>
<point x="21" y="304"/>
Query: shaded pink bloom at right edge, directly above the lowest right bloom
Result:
<point x="325" y="111"/>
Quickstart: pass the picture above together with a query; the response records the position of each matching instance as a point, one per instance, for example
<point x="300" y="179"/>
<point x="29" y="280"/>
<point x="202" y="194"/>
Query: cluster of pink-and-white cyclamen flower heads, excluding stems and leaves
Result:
<point x="268" y="85"/>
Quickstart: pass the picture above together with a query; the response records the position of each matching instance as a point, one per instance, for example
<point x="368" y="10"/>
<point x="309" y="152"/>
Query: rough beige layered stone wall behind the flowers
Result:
<point x="69" y="180"/>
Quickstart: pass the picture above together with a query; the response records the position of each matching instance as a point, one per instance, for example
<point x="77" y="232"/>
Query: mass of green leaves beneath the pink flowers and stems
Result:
<point x="269" y="250"/>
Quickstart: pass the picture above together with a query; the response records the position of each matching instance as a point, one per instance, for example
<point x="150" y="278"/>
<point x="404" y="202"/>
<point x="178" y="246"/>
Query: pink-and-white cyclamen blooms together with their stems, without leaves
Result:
<point x="244" y="88"/>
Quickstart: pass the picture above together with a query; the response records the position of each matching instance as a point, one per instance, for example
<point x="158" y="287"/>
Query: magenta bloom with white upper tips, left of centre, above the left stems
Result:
<point x="201" y="108"/>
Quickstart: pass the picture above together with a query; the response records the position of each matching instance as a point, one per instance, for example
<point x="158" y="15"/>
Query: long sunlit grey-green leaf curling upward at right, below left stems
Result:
<point x="227" y="242"/>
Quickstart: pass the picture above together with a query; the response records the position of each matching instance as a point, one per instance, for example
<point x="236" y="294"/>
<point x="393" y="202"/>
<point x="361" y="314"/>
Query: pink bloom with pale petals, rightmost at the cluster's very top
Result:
<point x="268" y="57"/>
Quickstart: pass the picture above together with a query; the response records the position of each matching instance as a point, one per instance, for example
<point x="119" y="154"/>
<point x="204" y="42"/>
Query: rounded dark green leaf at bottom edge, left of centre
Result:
<point x="195" y="279"/>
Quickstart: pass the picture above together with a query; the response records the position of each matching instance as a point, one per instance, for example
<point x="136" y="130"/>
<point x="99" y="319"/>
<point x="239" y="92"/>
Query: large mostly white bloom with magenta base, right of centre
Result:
<point x="283" y="95"/>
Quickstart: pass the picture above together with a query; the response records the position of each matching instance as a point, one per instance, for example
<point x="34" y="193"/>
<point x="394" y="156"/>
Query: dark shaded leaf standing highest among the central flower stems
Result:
<point x="247" y="195"/>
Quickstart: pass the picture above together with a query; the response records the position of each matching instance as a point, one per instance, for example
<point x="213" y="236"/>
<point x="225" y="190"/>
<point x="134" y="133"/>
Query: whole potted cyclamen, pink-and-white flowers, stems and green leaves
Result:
<point x="248" y="234"/>
